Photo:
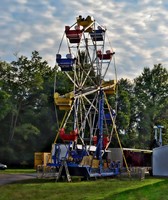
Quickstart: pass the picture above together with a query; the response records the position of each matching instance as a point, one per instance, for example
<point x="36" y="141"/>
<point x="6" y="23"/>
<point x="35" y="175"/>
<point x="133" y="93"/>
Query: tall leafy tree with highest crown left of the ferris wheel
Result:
<point x="27" y="84"/>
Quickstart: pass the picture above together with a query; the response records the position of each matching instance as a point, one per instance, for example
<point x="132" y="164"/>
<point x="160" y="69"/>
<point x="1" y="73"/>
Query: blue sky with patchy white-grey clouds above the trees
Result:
<point x="137" y="29"/>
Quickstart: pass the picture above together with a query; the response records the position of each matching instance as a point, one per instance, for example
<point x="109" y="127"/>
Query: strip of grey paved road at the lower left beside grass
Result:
<point x="10" y="178"/>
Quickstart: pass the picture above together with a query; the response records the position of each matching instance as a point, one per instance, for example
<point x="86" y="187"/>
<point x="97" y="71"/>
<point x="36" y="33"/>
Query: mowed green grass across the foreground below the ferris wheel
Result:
<point x="111" y="189"/>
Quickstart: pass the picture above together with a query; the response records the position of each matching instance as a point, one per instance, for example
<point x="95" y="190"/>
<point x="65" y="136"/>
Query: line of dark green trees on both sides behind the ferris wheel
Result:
<point x="28" y="121"/>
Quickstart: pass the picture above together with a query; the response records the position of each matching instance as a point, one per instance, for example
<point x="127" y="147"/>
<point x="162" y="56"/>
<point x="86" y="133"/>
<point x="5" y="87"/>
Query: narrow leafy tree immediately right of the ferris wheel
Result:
<point x="125" y="113"/>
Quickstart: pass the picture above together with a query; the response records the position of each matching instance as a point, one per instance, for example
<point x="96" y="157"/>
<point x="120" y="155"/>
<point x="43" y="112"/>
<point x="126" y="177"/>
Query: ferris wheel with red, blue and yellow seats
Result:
<point x="86" y="57"/>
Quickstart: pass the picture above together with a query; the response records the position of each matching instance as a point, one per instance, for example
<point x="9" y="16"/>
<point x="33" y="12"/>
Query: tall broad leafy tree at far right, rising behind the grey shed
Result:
<point x="151" y="90"/>
